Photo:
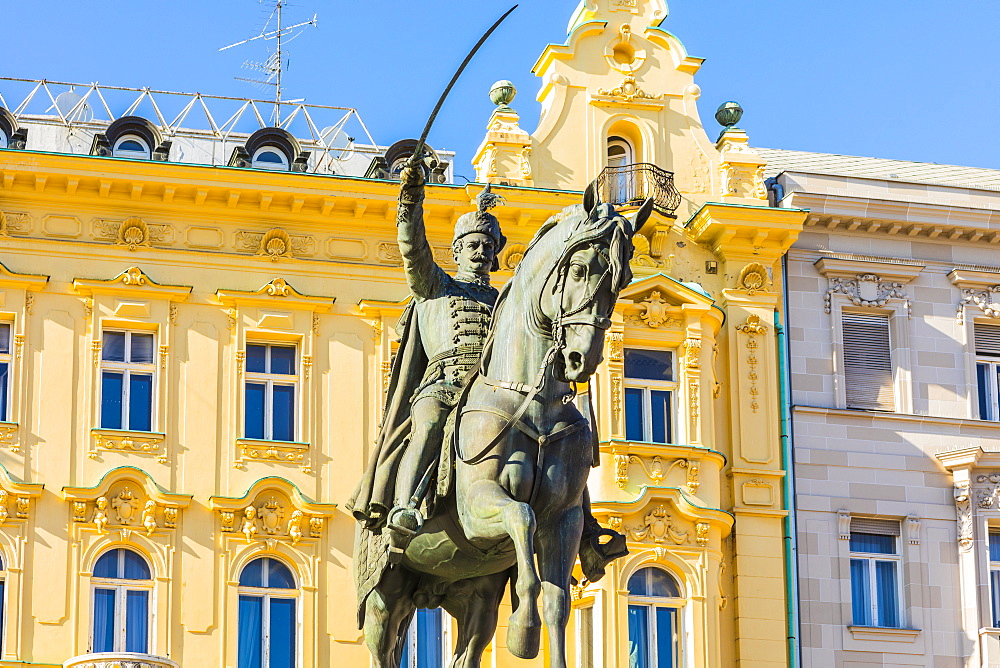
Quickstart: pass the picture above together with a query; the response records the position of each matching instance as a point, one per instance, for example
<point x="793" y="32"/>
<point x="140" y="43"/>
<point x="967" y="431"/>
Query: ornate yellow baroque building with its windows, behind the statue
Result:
<point x="193" y="359"/>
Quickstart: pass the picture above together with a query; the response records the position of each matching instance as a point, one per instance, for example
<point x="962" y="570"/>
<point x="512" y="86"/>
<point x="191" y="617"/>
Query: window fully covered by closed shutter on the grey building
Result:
<point x="868" y="374"/>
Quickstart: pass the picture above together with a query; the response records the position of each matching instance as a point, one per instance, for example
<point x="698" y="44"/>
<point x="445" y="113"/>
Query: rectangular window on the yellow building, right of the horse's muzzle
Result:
<point x="649" y="391"/>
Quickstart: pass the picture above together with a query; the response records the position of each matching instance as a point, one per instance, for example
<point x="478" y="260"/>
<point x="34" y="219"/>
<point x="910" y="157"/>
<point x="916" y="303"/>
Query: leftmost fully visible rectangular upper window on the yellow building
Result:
<point x="128" y="374"/>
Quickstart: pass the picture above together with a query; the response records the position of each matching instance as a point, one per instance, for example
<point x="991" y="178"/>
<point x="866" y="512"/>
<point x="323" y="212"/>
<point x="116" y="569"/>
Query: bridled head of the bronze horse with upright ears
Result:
<point x="592" y="247"/>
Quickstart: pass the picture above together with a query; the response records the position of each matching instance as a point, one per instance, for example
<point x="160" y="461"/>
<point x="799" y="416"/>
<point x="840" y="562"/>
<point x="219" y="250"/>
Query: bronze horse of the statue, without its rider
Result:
<point x="522" y="453"/>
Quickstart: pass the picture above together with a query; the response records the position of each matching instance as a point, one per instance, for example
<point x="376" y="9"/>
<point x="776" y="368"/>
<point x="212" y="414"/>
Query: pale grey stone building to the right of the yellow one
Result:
<point x="893" y="329"/>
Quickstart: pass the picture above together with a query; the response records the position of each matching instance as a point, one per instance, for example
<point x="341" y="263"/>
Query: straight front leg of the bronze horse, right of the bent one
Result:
<point x="557" y="547"/>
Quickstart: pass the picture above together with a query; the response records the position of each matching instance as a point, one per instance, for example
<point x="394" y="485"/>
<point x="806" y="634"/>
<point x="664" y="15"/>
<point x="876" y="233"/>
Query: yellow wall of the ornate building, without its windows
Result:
<point x="191" y="270"/>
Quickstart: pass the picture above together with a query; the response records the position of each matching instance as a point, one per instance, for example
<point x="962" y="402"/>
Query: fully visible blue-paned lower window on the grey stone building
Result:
<point x="875" y="573"/>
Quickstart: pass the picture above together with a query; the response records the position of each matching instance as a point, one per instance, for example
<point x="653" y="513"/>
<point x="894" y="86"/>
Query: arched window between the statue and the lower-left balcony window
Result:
<point x="267" y="615"/>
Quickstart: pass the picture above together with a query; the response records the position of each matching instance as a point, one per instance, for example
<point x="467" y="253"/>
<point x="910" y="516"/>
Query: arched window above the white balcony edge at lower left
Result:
<point x="122" y="588"/>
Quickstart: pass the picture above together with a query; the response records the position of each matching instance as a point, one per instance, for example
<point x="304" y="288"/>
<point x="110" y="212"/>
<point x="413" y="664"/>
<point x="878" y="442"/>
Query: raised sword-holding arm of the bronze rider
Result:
<point x="422" y="272"/>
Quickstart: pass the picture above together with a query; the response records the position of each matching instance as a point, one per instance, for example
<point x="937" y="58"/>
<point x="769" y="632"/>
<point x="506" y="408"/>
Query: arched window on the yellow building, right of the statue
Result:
<point x="653" y="606"/>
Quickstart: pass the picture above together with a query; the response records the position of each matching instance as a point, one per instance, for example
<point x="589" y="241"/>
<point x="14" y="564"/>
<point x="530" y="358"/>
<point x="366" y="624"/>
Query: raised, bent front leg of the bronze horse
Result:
<point x="489" y="512"/>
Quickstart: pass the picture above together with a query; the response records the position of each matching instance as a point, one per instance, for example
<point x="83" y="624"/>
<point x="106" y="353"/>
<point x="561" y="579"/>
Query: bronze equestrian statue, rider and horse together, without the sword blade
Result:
<point x="481" y="444"/>
